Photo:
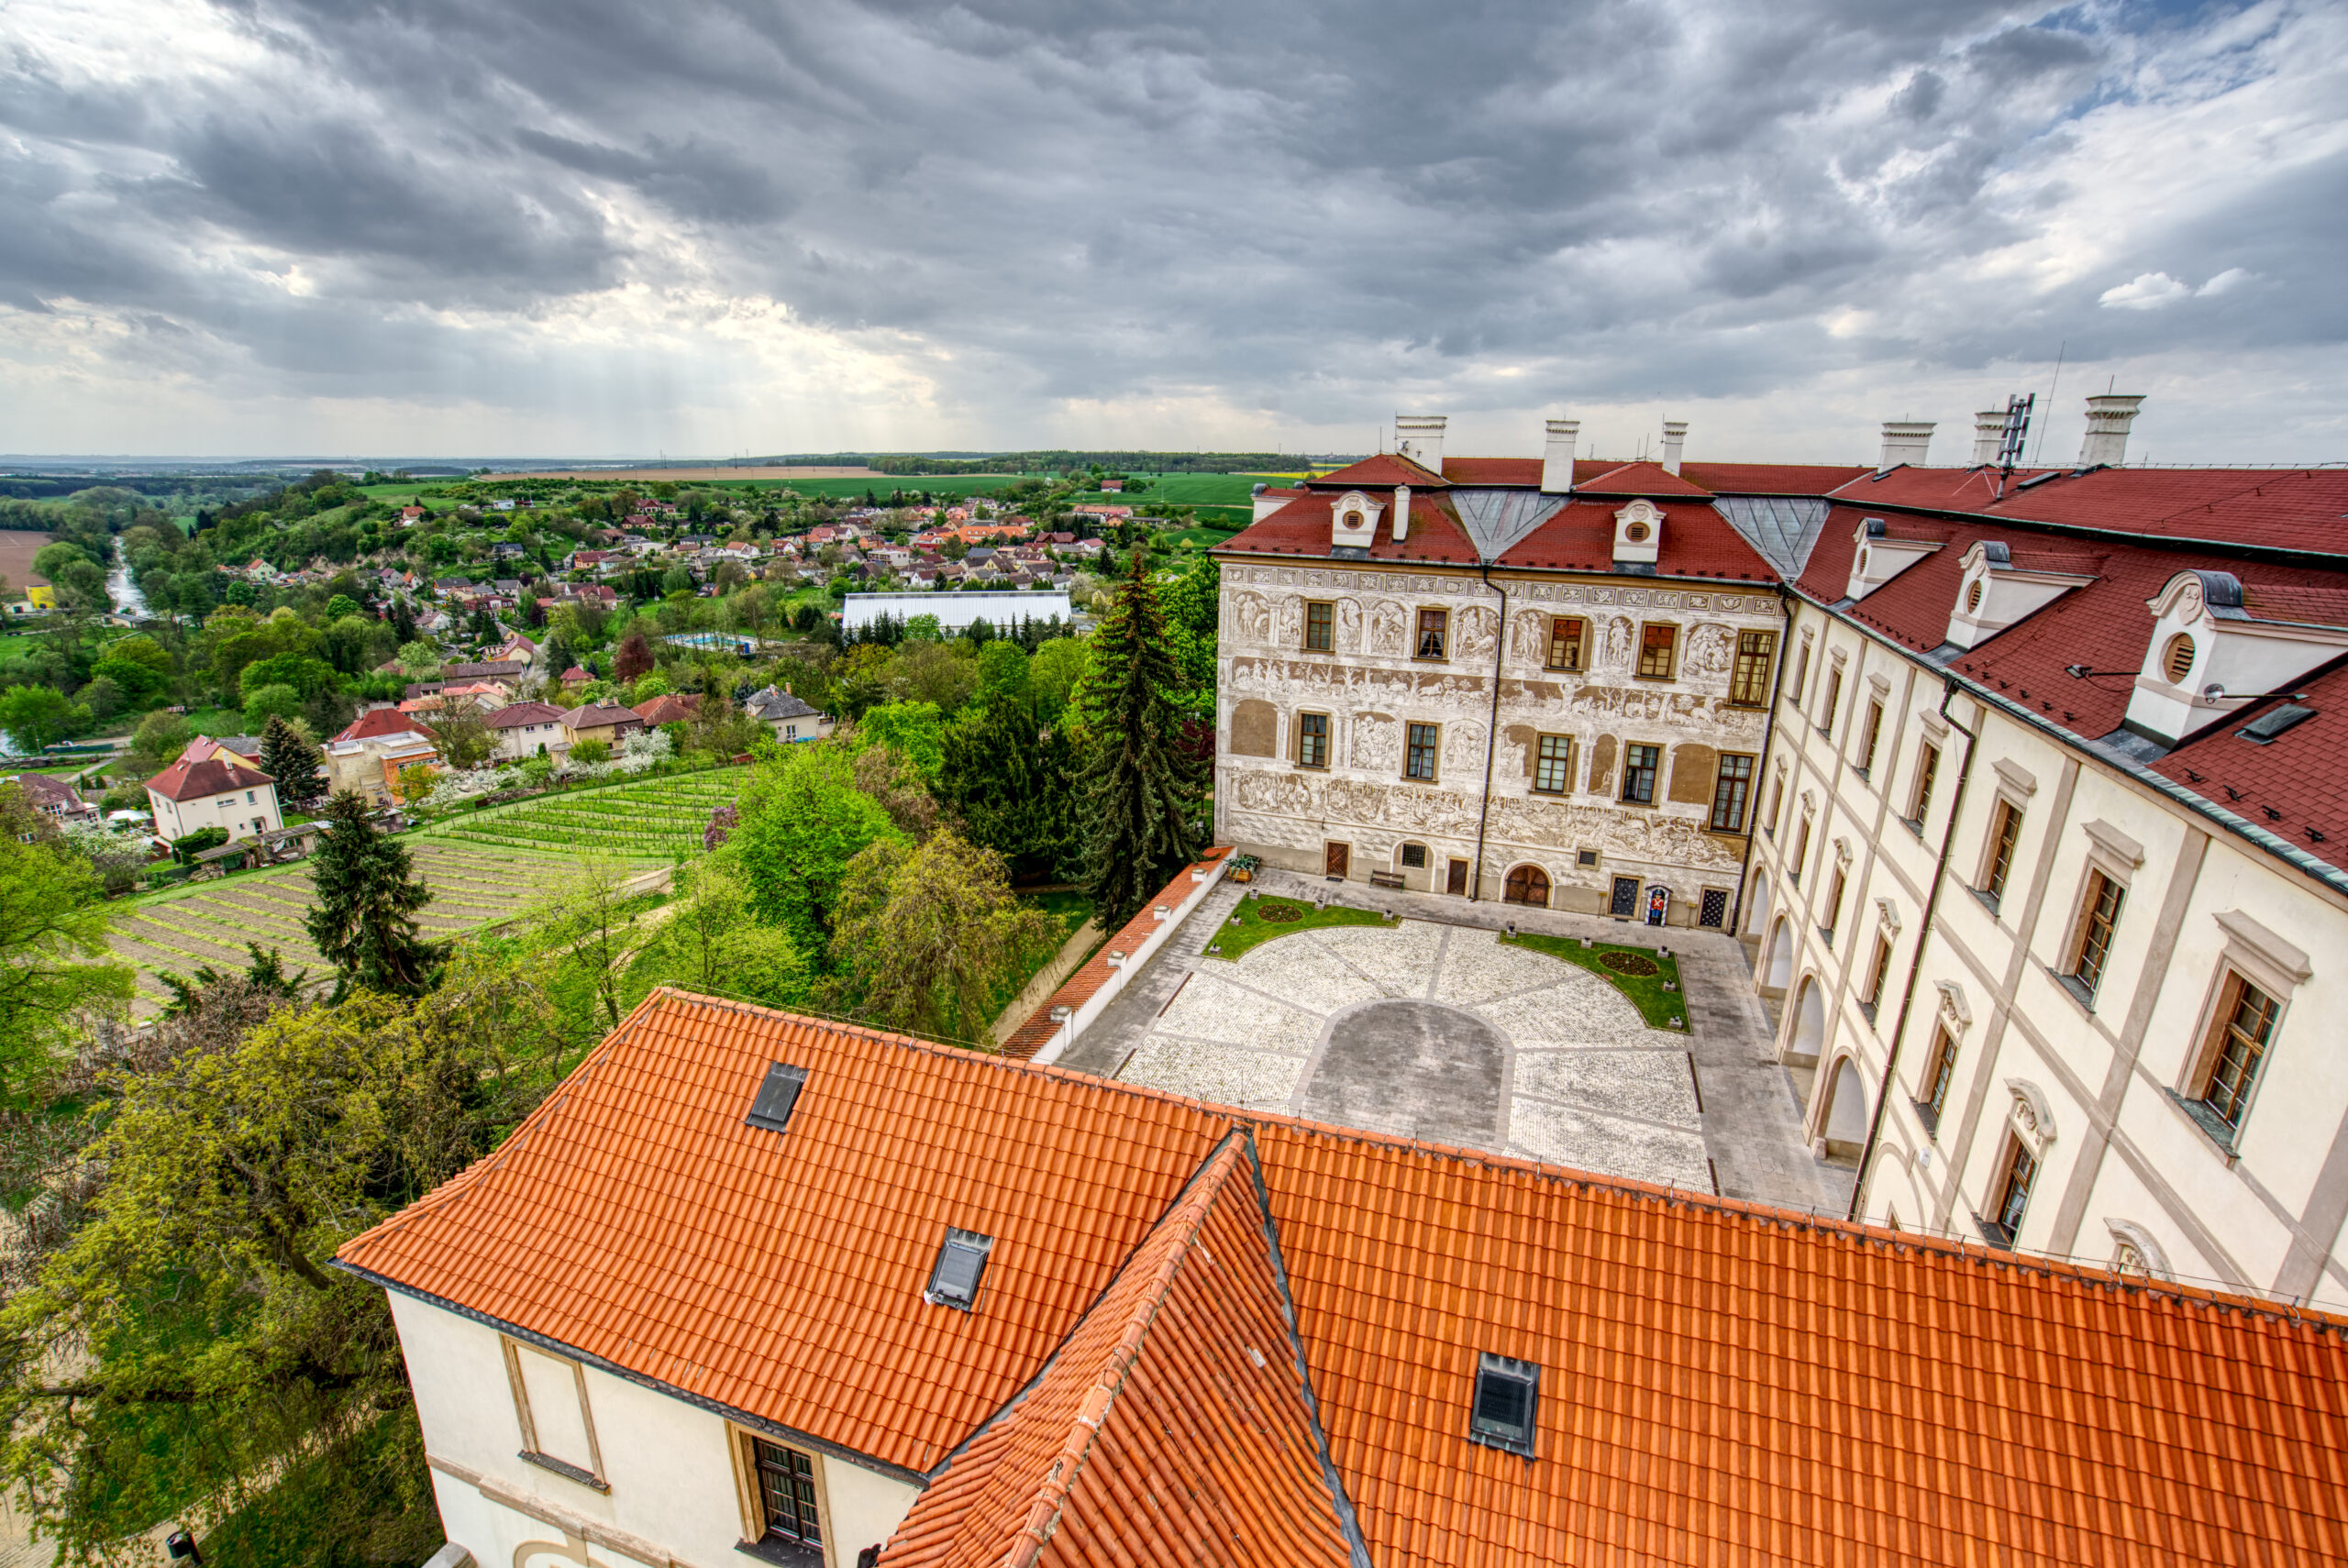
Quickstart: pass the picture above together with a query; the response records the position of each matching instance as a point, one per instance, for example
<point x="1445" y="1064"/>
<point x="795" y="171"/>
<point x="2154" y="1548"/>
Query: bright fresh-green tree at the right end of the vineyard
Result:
<point x="802" y="823"/>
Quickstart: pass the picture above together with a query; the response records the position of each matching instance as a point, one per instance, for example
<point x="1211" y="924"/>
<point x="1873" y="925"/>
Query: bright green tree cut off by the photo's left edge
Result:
<point x="53" y="957"/>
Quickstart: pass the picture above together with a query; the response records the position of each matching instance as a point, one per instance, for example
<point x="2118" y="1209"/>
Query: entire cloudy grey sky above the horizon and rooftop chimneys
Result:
<point x="762" y="227"/>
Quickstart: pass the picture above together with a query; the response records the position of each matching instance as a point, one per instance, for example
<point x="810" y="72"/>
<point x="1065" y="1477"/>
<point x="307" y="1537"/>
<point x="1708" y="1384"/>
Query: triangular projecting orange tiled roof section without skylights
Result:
<point x="1168" y="1431"/>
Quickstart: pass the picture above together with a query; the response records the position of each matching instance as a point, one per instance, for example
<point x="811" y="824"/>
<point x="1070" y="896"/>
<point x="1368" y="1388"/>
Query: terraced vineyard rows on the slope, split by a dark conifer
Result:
<point x="483" y="870"/>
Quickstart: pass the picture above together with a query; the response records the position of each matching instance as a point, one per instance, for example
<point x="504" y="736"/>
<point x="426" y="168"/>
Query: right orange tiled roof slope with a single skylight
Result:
<point x="1739" y="1386"/>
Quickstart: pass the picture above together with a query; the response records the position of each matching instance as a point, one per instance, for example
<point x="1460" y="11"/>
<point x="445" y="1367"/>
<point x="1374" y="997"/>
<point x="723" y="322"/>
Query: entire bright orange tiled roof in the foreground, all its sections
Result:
<point x="1722" y="1384"/>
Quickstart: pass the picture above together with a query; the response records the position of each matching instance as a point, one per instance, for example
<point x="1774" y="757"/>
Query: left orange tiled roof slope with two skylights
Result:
<point x="637" y="1219"/>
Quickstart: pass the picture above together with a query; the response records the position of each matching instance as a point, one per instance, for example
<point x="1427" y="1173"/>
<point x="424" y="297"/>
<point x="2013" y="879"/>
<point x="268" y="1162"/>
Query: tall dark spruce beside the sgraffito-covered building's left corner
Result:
<point x="1140" y="790"/>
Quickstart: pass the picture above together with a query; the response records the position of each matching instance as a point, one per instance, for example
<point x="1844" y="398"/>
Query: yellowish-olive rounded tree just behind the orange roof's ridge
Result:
<point x="931" y="933"/>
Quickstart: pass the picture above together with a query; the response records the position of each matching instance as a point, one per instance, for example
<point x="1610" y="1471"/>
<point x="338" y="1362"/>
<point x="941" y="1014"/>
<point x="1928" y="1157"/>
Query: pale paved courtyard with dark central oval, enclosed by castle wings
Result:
<point x="1429" y="1025"/>
